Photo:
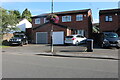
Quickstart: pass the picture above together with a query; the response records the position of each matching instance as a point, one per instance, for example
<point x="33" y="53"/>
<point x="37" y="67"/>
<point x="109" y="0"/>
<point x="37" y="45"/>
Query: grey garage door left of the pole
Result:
<point x="41" y="37"/>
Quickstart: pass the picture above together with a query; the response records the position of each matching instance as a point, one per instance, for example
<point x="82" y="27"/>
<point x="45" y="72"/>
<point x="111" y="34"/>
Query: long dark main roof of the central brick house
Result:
<point x="64" y="12"/>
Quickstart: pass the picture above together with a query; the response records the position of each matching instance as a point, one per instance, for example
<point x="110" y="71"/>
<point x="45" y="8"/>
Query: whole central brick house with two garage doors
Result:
<point x="70" y="22"/>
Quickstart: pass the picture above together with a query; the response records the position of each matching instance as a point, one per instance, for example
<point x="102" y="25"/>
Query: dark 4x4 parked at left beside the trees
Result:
<point x="18" y="39"/>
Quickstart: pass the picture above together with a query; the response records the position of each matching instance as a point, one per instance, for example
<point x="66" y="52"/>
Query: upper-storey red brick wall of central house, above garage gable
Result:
<point x="73" y="24"/>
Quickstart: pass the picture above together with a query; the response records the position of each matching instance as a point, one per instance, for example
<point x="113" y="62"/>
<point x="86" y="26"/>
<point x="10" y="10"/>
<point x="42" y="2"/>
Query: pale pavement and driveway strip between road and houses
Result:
<point x="64" y="51"/>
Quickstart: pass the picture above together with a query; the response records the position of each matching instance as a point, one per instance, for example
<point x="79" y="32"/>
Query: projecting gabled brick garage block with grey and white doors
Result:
<point x="42" y="33"/>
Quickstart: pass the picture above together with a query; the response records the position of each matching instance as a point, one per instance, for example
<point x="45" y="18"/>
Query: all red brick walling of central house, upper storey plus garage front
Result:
<point x="73" y="24"/>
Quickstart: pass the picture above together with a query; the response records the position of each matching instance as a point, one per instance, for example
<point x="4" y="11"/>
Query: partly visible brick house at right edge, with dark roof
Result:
<point x="110" y="20"/>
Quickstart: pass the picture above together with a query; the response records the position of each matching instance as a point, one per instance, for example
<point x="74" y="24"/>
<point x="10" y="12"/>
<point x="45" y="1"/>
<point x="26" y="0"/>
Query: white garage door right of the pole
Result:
<point x="58" y="37"/>
